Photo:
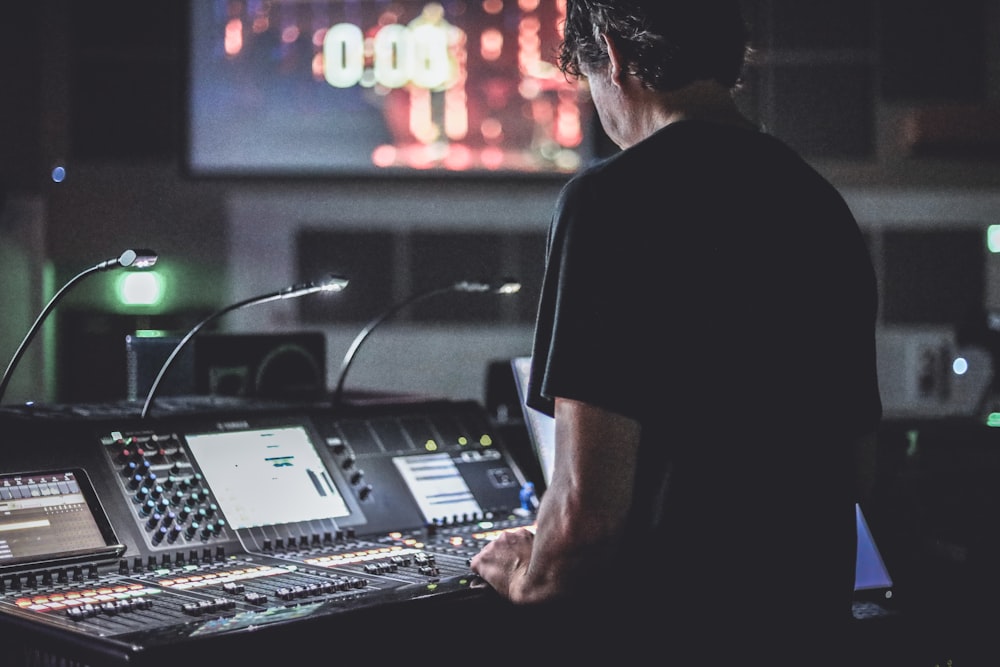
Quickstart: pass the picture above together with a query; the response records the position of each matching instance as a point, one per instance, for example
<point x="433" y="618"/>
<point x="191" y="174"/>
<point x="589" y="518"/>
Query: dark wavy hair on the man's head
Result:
<point x="666" y="43"/>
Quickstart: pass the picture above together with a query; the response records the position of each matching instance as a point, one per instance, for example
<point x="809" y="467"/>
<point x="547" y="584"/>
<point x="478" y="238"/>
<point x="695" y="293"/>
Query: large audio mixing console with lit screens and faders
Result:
<point x="252" y="531"/>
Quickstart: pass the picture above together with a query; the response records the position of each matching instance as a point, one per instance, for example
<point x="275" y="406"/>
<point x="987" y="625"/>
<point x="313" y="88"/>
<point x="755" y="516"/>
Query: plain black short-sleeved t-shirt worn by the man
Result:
<point x="712" y="285"/>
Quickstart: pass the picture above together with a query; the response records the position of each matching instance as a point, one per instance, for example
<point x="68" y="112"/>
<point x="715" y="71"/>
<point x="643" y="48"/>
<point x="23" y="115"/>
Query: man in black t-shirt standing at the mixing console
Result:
<point x="705" y="341"/>
